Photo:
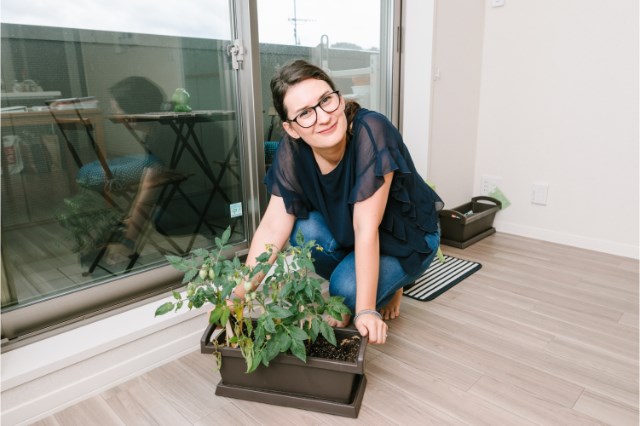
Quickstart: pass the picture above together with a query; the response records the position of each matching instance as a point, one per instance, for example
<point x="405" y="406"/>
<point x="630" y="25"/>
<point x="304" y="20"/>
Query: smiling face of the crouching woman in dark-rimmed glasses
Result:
<point x="329" y="130"/>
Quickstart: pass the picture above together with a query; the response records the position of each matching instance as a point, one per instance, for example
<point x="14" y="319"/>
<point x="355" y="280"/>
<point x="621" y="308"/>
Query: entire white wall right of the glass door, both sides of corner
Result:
<point x="555" y="87"/>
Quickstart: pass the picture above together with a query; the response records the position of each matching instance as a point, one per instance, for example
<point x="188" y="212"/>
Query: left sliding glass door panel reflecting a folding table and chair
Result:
<point x="121" y="144"/>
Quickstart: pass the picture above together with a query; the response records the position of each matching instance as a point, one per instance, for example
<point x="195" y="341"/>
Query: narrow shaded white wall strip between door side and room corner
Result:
<point x="457" y="69"/>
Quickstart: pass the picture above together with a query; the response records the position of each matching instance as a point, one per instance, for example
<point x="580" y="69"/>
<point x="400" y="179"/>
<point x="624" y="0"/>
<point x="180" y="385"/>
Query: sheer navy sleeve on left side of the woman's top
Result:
<point x="282" y="179"/>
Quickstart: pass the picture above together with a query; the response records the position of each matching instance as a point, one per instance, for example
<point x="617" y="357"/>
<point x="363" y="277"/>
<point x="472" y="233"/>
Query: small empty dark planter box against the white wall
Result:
<point x="470" y="222"/>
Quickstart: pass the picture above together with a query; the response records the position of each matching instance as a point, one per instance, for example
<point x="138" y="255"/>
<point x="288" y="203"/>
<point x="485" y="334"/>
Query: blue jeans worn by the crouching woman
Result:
<point x="338" y="265"/>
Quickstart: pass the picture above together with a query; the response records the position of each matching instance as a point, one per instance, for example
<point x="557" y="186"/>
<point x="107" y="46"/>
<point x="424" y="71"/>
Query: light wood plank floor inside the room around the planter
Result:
<point x="542" y="334"/>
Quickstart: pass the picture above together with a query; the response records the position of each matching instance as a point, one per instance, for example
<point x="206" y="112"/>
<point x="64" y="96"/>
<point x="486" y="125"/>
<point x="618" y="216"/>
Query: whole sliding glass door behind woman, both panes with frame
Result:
<point x="136" y="130"/>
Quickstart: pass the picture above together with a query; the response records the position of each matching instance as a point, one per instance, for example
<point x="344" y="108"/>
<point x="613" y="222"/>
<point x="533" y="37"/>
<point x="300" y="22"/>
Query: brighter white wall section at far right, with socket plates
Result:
<point x="559" y="104"/>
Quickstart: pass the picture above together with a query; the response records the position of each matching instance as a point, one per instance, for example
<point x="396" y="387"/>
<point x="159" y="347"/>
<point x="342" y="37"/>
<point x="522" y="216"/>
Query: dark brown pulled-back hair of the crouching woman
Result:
<point x="295" y="72"/>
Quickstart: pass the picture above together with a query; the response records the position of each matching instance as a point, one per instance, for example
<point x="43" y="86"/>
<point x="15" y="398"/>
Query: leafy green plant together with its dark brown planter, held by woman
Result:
<point x="274" y="345"/>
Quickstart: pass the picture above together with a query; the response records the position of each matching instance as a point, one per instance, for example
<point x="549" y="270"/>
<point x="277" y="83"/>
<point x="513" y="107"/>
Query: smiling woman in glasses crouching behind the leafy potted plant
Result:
<point x="343" y="176"/>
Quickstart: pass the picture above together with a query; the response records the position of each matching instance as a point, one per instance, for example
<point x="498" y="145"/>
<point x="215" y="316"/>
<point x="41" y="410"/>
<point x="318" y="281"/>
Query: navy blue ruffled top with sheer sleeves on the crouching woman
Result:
<point x="375" y="149"/>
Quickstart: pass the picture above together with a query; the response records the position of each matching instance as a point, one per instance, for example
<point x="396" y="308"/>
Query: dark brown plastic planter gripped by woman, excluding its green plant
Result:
<point x="330" y="386"/>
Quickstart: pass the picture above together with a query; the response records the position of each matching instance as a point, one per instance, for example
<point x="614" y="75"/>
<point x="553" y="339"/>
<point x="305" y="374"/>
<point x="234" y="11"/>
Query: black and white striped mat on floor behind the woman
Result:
<point x="440" y="277"/>
